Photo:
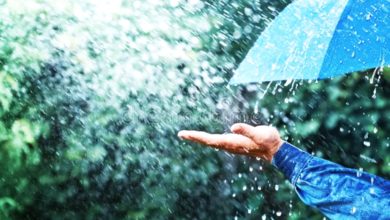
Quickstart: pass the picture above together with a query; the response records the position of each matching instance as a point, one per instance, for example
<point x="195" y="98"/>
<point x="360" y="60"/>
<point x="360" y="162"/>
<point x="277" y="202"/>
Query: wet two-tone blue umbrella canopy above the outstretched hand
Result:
<point x="317" y="39"/>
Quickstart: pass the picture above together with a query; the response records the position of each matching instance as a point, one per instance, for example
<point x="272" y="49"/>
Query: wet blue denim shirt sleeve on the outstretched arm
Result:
<point x="338" y="192"/>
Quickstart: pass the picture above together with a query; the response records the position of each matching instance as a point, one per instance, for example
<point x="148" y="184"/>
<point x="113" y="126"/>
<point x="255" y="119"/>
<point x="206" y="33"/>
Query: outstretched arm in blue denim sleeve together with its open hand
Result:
<point x="338" y="192"/>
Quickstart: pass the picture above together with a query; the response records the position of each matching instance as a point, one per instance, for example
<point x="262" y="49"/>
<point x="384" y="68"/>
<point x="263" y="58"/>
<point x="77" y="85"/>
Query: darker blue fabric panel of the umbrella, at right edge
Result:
<point x="361" y="39"/>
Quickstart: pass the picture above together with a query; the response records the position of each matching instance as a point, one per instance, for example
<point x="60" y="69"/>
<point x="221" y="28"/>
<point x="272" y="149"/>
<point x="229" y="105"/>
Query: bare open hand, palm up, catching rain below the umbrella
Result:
<point x="260" y="141"/>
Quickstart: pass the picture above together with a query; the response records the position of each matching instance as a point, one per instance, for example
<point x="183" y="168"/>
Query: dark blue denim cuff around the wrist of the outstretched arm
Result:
<point x="291" y="161"/>
